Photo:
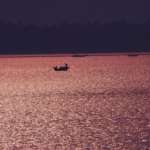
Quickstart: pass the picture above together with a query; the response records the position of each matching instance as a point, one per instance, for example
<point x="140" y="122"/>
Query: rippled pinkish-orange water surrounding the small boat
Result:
<point x="101" y="103"/>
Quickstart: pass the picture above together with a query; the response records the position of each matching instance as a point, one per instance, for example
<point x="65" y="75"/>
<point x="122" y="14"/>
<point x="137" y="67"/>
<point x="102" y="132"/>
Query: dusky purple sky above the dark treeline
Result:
<point x="54" y="11"/>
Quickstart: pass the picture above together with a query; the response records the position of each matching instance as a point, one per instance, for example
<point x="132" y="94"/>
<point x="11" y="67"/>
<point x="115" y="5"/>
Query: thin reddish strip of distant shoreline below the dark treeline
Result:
<point x="71" y="54"/>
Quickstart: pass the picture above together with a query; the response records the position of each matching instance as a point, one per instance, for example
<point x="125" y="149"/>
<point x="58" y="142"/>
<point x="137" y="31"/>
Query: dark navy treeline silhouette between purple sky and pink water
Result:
<point x="118" y="36"/>
